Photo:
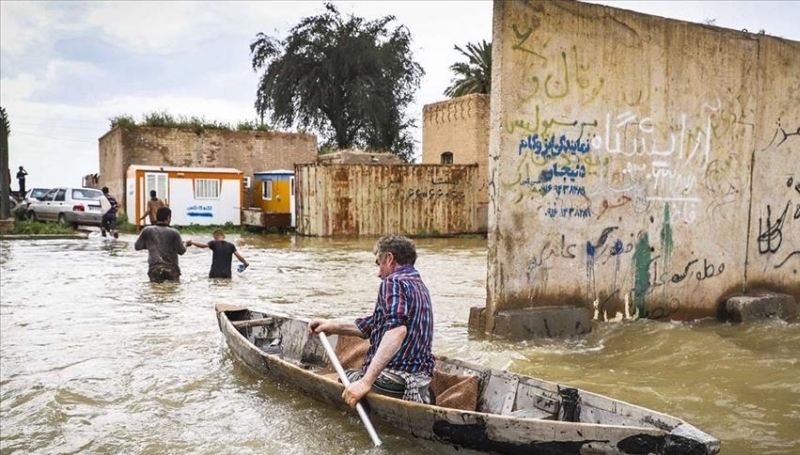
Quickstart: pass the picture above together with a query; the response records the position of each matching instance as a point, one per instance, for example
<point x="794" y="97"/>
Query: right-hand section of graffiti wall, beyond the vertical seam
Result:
<point x="773" y="260"/>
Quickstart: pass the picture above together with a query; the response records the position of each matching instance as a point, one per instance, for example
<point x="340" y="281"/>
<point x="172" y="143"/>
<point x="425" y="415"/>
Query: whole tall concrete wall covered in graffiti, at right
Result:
<point x="623" y="152"/>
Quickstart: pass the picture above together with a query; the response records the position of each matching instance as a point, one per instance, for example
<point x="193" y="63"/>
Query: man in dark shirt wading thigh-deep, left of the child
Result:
<point x="163" y="245"/>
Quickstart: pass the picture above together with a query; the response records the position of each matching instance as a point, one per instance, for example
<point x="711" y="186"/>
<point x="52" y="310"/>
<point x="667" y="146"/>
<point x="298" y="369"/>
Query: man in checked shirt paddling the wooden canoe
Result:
<point x="399" y="361"/>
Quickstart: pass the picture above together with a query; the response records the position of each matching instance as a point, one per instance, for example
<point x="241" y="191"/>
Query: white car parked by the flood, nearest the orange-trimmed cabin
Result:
<point x="73" y="206"/>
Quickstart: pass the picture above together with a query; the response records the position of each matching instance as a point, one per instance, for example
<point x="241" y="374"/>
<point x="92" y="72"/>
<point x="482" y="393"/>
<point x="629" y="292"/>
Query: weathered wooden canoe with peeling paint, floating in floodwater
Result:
<point x="508" y="414"/>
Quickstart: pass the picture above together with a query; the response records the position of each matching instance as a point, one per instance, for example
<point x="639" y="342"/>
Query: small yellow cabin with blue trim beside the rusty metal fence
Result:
<point x="274" y="194"/>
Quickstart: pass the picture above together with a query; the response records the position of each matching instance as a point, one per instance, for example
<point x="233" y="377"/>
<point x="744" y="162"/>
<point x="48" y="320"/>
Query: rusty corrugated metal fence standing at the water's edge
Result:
<point x="365" y="199"/>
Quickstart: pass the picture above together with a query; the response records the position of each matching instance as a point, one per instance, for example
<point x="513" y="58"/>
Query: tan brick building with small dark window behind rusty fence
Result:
<point x="460" y="126"/>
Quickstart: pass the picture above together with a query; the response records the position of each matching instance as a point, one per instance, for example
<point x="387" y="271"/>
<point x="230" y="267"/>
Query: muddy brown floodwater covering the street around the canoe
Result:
<point x="94" y="359"/>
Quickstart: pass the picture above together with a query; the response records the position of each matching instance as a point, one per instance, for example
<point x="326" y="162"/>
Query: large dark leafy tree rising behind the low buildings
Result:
<point x="345" y="77"/>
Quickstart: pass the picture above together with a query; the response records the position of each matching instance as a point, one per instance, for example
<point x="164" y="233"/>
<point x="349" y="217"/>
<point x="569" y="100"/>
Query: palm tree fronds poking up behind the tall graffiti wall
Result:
<point x="474" y="76"/>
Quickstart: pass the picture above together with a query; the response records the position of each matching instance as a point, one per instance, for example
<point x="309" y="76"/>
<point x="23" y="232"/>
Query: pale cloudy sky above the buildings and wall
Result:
<point x="66" y="68"/>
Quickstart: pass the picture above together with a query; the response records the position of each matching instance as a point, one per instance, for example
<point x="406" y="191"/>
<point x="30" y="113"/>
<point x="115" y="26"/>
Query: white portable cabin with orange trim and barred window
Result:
<point x="196" y="195"/>
